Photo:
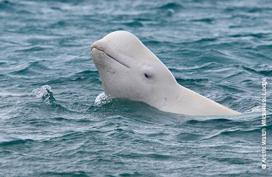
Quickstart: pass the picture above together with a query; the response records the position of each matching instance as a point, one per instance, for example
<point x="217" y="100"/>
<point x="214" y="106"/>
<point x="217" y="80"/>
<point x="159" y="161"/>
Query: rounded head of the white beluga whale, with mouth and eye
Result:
<point x="129" y="70"/>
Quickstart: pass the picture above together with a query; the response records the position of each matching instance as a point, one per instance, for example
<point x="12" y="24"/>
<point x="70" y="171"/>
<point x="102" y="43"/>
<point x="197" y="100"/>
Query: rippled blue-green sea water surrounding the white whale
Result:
<point x="51" y="125"/>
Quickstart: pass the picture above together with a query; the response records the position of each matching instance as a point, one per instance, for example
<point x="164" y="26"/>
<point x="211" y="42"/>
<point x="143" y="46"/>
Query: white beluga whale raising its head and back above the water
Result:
<point x="129" y="70"/>
